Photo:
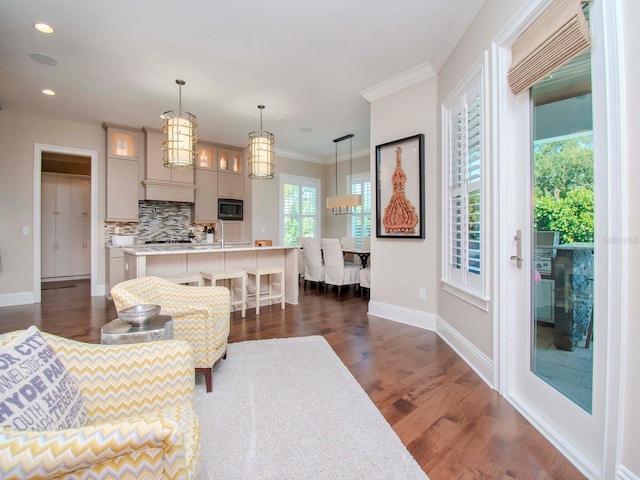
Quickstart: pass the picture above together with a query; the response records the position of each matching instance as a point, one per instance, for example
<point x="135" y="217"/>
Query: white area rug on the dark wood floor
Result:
<point x="290" y="409"/>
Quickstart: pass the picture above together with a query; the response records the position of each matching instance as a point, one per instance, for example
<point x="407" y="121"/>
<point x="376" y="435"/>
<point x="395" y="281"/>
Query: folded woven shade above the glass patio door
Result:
<point x="554" y="38"/>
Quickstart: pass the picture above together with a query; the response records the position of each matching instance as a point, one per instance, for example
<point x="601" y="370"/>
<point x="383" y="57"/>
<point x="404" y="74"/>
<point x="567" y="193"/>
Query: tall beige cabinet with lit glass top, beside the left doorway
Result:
<point x="123" y="151"/>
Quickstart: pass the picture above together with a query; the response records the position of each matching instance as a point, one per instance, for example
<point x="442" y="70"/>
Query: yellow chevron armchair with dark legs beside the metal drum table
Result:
<point x="201" y="315"/>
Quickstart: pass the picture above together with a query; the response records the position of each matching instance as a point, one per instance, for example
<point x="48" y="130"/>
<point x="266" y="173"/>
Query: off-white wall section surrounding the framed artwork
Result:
<point x="401" y="266"/>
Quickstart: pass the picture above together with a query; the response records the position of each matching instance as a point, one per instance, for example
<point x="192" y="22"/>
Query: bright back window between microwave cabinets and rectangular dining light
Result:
<point x="299" y="208"/>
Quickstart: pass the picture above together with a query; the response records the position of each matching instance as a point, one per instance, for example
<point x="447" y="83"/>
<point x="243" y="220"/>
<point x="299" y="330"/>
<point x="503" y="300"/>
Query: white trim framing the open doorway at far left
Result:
<point x="38" y="150"/>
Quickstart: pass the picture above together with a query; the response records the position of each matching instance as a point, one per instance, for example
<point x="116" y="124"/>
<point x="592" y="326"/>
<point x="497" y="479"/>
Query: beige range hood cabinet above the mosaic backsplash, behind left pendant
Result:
<point x="165" y="183"/>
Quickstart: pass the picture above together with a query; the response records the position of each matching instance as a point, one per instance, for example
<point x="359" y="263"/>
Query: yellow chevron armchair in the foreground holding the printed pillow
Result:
<point x="141" y="420"/>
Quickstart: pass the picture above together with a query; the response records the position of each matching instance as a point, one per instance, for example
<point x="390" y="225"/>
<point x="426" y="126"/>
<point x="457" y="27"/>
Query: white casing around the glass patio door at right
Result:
<point x="609" y="143"/>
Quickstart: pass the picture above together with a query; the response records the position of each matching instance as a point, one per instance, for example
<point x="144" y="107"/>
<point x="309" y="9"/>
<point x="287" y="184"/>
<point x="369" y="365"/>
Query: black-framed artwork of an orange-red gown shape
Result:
<point x="400" y="188"/>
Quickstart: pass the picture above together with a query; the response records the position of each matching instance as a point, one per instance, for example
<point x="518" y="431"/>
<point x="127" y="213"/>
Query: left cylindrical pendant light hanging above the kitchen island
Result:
<point x="179" y="139"/>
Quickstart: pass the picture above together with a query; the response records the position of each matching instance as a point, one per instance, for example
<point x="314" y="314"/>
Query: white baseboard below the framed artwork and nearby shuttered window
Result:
<point x="476" y="359"/>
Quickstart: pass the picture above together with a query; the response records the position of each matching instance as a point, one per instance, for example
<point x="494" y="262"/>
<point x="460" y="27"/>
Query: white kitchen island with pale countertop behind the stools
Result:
<point x="167" y="259"/>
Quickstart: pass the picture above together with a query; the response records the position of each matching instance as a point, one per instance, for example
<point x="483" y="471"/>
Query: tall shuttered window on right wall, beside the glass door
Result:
<point x="464" y="267"/>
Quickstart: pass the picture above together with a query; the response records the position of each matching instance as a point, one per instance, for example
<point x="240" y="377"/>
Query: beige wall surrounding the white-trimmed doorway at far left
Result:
<point x="19" y="132"/>
